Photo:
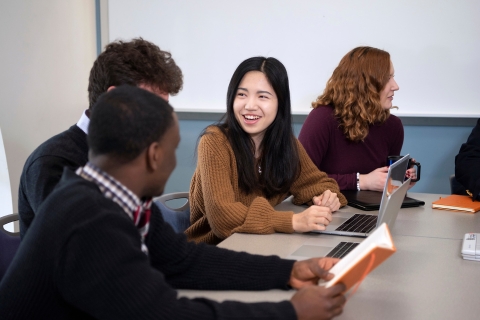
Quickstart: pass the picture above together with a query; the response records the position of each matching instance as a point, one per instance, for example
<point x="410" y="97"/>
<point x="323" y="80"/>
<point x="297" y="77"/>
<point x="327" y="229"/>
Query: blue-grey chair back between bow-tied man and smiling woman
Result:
<point x="178" y="218"/>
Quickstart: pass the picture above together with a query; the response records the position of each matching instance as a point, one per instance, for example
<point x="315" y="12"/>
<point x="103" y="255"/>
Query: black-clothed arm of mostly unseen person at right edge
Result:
<point x="467" y="163"/>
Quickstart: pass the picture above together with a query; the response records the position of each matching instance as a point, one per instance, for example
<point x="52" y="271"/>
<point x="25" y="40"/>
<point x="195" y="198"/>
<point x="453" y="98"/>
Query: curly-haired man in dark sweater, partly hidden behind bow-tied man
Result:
<point x="139" y="63"/>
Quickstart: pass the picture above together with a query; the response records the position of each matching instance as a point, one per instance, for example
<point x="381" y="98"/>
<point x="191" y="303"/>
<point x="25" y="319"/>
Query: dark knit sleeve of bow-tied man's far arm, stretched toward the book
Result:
<point x="187" y="265"/>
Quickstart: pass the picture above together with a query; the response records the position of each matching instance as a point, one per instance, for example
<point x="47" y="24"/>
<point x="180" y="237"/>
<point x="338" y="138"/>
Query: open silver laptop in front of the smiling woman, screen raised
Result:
<point x="361" y="224"/>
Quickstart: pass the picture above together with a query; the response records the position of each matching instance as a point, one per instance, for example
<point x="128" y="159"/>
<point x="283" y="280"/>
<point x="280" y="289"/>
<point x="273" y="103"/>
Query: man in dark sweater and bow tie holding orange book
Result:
<point x="97" y="249"/>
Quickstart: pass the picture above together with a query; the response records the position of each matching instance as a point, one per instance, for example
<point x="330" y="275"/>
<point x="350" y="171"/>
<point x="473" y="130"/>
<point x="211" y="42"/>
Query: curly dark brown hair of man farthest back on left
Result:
<point x="133" y="62"/>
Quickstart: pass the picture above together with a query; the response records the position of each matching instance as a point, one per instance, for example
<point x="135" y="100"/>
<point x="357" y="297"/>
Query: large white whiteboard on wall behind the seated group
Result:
<point x="434" y="46"/>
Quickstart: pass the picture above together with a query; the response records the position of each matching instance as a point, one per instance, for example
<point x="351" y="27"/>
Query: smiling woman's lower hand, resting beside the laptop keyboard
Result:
<point x="313" y="218"/>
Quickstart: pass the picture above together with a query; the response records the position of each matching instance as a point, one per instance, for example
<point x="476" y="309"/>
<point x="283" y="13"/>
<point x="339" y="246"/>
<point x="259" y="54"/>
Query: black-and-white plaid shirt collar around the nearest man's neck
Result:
<point x="111" y="188"/>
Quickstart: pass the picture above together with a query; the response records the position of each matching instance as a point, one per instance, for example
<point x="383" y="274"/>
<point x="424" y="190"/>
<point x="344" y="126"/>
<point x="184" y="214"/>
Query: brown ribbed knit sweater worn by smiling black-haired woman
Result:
<point x="218" y="208"/>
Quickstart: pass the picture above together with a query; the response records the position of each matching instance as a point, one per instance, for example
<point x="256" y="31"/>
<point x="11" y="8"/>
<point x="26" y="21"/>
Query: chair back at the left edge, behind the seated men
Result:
<point x="9" y="242"/>
